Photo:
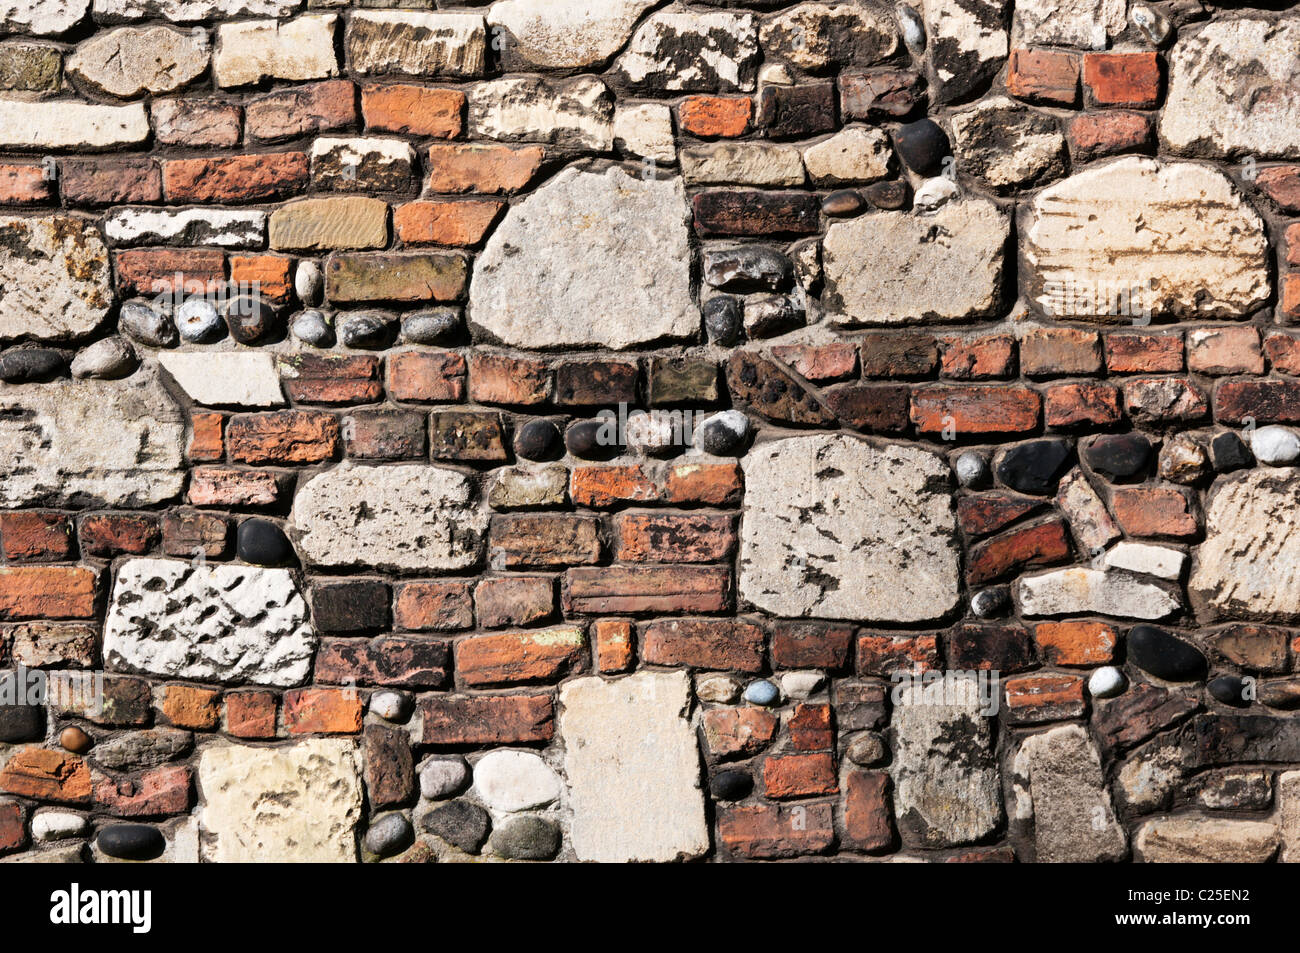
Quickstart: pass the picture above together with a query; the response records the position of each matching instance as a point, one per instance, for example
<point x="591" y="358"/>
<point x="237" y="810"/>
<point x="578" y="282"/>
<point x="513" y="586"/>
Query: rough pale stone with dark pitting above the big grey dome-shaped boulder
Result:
<point x="578" y="112"/>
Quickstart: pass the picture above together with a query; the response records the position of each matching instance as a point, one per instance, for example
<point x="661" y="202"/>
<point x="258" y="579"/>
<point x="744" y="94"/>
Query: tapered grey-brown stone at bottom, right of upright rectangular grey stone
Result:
<point x="1059" y="785"/>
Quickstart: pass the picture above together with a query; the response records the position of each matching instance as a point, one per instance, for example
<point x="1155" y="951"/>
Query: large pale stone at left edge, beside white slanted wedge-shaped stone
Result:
<point x="93" y="441"/>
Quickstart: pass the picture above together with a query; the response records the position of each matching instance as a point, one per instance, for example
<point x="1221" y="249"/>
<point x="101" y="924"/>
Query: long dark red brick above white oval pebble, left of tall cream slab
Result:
<point x="488" y="720"/>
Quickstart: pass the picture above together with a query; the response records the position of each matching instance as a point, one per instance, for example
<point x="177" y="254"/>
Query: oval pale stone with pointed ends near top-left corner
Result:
<point x="132" y="62"/>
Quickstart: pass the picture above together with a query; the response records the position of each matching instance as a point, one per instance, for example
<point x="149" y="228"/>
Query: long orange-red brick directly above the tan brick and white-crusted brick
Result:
<point x="236" y="179"/>
